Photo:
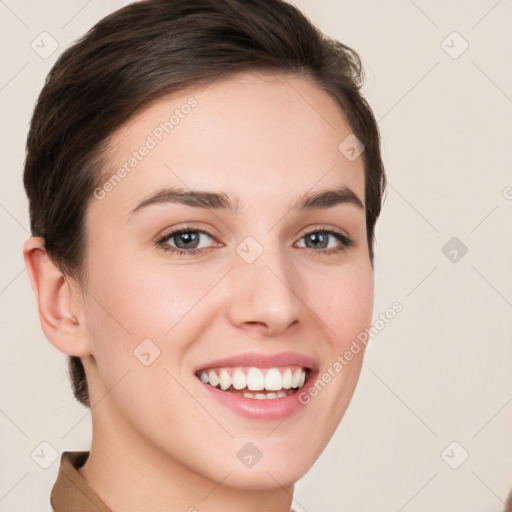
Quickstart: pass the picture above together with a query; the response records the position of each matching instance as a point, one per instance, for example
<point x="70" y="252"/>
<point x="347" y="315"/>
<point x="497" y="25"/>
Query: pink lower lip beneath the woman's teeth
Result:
<point x="274" y="408"/>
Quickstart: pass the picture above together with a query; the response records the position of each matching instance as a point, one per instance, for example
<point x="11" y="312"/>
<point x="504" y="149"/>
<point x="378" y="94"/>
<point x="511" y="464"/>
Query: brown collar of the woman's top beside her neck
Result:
<point x="70" y="492"/>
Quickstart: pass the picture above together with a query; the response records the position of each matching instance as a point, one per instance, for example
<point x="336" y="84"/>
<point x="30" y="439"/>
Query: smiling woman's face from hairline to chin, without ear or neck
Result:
<point x="224" y="281"/>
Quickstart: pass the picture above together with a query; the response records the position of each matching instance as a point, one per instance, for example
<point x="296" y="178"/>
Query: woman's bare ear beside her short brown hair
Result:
<point x="59" y="300"/>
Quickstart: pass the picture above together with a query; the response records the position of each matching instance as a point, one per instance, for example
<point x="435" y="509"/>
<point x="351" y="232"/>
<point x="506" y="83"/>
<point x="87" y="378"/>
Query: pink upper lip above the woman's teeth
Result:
<point x="263" y="360"/>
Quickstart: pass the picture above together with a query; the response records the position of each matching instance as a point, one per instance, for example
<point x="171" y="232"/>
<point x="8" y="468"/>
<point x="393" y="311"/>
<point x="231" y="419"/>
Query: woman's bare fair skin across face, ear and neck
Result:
<point x="266" y="140"/>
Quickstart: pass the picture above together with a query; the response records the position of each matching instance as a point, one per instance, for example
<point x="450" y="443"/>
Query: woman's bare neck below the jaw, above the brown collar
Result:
<point x="129" y="474"/>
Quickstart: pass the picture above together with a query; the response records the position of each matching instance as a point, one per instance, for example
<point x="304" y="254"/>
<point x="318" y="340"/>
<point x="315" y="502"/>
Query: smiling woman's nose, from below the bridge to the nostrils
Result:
<point x="265" y="294"/>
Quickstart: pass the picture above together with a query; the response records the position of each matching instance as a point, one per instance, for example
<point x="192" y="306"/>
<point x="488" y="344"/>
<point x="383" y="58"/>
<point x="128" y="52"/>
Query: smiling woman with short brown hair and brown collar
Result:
<point x="204" y="180"/>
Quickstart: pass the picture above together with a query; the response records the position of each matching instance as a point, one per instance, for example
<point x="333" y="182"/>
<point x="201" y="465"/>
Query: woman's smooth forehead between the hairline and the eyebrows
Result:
<point x="259" y="136"/>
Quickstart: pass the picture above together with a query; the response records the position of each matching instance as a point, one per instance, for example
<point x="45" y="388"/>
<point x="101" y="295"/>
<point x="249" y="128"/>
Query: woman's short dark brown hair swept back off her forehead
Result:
<point x="151" y="48"/>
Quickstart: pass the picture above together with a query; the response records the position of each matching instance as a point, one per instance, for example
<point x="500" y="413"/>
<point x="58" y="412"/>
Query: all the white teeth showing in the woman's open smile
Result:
<point x="274" y="380"/>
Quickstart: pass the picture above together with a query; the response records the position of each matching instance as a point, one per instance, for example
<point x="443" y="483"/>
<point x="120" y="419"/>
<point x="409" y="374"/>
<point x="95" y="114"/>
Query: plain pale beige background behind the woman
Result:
<point x="440" y="371"/>
